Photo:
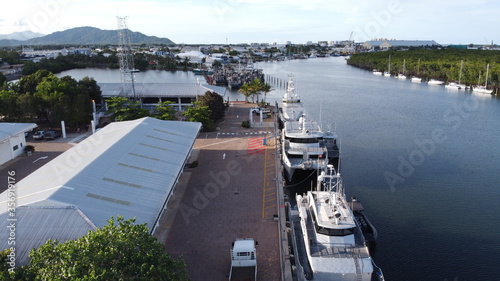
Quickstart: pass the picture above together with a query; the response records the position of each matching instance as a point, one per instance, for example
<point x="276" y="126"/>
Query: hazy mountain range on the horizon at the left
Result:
<point x="84" y="36"/>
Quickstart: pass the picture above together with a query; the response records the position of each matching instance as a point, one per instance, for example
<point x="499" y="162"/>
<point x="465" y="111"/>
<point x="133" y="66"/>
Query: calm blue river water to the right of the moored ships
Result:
<point x="423" y="160"/>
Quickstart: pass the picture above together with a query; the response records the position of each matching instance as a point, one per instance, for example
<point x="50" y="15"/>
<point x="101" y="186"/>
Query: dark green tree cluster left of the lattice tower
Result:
<point x="45" y="98"/>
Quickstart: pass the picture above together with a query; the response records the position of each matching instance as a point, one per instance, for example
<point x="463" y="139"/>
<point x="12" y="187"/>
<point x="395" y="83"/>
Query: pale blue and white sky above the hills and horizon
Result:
<point x="266" y="21"/>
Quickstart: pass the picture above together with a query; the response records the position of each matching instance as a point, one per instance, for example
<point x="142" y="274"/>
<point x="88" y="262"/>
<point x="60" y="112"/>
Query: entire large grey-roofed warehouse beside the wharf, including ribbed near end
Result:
<point x="128" y="168"/>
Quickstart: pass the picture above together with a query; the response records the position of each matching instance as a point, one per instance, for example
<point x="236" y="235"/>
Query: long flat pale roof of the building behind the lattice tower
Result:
<point x="162" y="89"/>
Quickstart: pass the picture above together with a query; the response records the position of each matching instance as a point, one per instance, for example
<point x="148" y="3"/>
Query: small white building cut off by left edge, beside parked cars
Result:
<point x="12" y="139"/>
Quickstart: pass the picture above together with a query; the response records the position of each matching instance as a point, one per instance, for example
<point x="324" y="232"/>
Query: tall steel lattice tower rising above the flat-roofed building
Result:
<point x="126" y="59"/>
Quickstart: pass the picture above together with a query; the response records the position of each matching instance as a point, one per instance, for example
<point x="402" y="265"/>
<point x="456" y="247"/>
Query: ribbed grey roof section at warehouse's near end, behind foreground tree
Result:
<point x="35" y="225"/>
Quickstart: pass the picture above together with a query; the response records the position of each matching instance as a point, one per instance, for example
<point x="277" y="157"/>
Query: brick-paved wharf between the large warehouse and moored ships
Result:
<point x="231" y="194"/>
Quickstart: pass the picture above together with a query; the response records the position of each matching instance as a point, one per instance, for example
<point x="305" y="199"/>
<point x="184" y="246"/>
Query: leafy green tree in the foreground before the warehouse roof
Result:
<point x="121" y="250"/>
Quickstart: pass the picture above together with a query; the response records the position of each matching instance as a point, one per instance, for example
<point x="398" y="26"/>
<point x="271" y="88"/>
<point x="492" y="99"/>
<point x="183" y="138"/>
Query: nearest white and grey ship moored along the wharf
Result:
<point x="330" y="243"/>
